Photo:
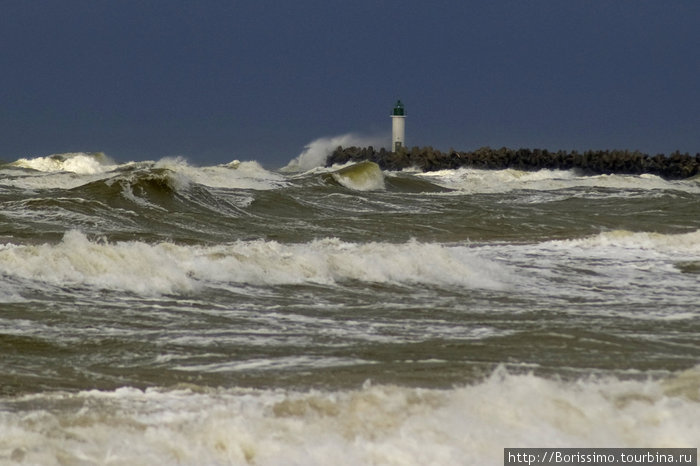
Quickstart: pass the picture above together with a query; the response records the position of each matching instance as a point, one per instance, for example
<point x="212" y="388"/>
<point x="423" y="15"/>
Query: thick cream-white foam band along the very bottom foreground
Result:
<point x="371" y="425"/>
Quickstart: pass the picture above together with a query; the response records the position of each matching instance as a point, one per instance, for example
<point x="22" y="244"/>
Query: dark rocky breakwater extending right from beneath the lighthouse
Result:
<point x="673" y="166"/>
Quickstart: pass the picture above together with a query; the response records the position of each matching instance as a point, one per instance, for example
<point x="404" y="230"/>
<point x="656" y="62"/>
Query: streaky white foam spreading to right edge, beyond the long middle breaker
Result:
<point x="637" y="268"/>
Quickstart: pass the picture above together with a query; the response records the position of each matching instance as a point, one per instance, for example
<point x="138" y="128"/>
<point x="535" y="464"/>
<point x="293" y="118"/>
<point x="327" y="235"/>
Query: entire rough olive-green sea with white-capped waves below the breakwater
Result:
<point x="163" y="313"/>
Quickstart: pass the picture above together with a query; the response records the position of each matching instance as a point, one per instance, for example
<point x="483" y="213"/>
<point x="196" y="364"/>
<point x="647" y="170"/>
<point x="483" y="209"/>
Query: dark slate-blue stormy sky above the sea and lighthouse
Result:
<point x="221" y="80"/>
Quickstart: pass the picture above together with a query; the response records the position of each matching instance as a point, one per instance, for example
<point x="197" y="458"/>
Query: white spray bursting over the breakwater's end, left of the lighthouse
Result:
<point x="317" y="151"/>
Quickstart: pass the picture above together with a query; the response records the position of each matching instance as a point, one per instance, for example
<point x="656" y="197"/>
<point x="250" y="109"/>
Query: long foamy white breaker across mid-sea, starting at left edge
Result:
<point x="168" y="268"/>
